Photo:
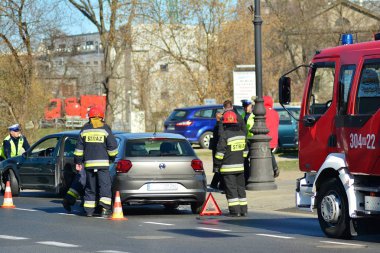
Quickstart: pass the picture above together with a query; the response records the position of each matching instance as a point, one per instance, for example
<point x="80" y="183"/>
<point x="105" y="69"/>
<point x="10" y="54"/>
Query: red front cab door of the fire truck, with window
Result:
<point x="316" y="134"/>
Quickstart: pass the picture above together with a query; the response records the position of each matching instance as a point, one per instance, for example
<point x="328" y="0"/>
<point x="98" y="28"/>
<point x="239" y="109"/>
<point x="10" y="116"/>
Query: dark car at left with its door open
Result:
<point x="47" y="165"/>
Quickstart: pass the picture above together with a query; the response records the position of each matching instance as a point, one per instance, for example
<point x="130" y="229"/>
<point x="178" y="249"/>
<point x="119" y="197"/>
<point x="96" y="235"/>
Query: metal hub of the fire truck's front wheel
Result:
<point x="331" y="208"/>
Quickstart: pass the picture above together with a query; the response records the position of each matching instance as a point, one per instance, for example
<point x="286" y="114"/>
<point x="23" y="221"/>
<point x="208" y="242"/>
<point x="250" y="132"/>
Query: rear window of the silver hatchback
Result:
<point x="158" y="147"/>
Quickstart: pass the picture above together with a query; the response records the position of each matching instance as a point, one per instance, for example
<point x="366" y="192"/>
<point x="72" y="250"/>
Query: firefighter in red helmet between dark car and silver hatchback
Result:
<point x="95" y="148"/>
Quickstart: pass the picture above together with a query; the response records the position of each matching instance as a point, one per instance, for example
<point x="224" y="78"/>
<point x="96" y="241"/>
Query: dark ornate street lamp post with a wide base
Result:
<point x="261" y="171"/>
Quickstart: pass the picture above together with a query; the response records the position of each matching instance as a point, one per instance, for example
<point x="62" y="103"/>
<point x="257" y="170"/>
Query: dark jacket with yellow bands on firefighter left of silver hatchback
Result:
<point x="95" y="147"/>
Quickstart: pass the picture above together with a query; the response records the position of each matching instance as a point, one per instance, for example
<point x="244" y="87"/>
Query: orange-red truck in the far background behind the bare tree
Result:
<point x="70" y="112"/>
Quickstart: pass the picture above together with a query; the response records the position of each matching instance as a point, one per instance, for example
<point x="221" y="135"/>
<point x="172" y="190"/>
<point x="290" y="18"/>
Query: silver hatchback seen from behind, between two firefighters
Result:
<point x="160" y="168"/>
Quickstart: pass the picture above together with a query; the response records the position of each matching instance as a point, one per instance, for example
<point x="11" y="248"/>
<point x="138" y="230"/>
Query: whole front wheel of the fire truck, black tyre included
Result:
<point x="332" y="207"/>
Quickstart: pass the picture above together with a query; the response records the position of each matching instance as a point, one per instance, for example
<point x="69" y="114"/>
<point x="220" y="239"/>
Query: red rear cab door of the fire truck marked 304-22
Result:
<point x="359" y="129"/>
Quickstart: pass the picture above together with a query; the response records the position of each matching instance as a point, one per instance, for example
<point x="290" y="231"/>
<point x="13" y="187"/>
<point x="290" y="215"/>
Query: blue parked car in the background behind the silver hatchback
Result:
<point x="195" y="123"/>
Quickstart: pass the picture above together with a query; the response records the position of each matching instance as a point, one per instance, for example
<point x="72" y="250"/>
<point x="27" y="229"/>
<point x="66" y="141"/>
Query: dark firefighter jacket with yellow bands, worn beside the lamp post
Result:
<point x="231" y="150"/>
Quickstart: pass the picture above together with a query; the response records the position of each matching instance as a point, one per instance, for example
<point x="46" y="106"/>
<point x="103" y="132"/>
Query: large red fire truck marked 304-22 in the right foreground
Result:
<point x="339" y="137"/>
